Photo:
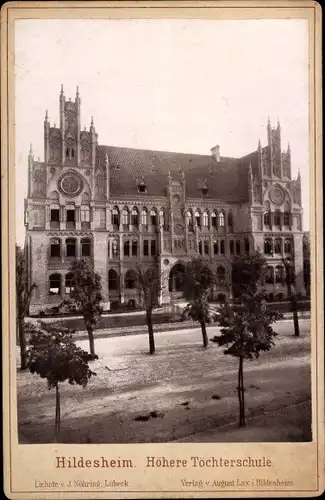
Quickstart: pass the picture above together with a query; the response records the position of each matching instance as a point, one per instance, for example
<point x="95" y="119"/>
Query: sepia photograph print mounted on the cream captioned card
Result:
<point x="162" y="231"/>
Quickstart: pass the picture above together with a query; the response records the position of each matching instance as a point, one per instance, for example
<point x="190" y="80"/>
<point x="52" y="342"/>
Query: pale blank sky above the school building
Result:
<point x="173" y="85"/>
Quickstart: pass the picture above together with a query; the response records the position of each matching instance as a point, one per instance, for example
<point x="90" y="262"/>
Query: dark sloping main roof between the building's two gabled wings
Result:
<point x="226" y="180"/>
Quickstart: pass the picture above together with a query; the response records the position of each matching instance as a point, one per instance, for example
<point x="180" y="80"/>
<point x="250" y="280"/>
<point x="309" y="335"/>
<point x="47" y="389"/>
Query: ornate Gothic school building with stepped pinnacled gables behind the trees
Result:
<point x="120" y="207"/>
